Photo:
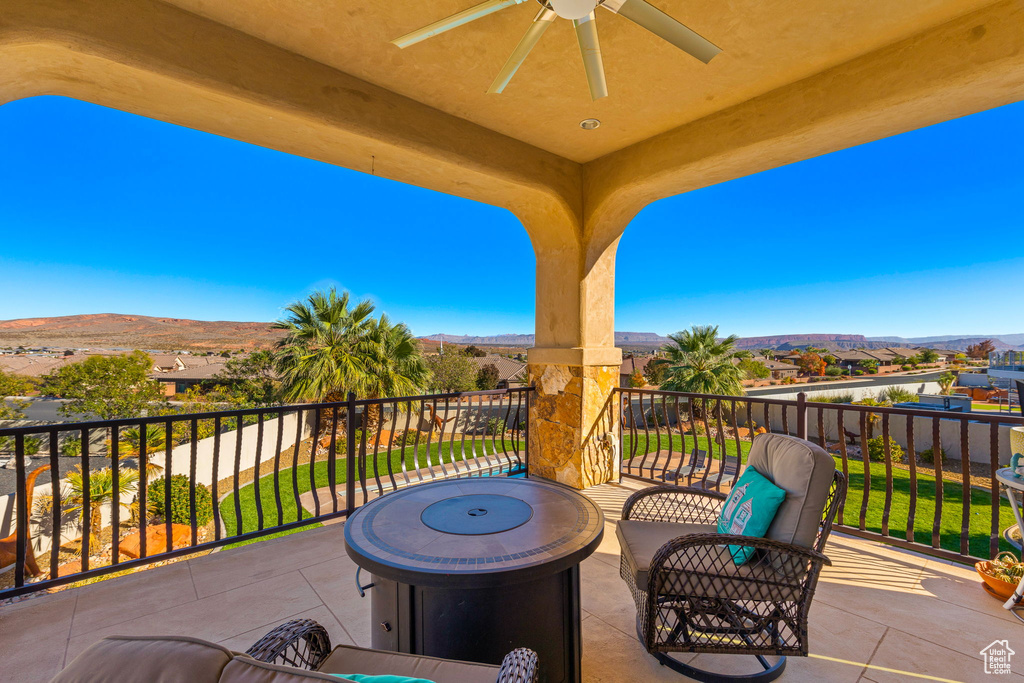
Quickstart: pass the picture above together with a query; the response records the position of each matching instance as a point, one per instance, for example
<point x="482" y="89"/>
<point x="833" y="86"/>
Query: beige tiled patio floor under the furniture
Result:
<point x="880" y="614"/>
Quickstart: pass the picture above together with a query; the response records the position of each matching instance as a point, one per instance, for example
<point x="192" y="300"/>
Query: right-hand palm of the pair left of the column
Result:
<point x="393" y="364"/>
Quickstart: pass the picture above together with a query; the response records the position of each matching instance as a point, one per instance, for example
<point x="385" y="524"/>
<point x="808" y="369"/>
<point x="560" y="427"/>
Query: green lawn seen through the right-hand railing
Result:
<point x="953" y="507"/>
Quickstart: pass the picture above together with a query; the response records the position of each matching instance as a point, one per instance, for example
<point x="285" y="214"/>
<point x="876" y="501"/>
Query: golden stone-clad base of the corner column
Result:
<point x="574" y="431"/>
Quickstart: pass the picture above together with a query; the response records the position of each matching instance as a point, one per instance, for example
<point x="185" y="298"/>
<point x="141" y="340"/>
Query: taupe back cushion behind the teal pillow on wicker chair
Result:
<point x="805" y="472"/>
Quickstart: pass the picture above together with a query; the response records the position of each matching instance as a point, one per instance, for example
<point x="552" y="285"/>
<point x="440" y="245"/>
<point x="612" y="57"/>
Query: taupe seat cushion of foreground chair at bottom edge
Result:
<point x="348" y="660"/>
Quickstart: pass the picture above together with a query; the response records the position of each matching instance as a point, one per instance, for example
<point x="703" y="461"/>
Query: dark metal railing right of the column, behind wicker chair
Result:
<point x="902" y="493"/>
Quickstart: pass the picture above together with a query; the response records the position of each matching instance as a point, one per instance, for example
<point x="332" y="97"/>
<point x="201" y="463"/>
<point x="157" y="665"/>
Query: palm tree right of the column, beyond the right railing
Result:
<point x="698" y="362"/>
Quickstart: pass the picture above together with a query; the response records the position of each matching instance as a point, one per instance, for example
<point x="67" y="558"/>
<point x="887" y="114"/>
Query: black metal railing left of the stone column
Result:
<point x="122" y="494"/>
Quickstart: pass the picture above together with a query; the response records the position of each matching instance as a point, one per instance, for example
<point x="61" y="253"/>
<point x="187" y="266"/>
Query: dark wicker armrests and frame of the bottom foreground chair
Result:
<point x="306" y="645"/>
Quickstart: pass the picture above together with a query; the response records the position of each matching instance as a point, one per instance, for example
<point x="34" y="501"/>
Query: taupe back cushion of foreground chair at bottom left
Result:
<point x="148" y="660"/>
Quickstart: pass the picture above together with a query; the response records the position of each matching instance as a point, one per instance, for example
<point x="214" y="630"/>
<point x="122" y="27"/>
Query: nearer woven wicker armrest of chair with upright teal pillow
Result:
<point x="697" y="558"/>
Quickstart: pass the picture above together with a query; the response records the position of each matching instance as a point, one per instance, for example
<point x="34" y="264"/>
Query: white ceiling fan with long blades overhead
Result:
<point x="581" y="13"/>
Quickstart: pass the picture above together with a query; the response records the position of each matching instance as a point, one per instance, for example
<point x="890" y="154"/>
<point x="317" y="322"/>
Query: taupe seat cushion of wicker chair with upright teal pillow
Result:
<point x="708" y="573"/>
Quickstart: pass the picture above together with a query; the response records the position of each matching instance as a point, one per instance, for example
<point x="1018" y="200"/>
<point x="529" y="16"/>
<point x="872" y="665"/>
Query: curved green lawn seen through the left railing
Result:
<point x="289" y="507"/>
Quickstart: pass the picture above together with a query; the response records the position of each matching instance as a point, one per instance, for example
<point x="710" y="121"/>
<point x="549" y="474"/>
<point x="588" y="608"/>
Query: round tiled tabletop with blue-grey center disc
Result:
<point x="475" y="533"/>
